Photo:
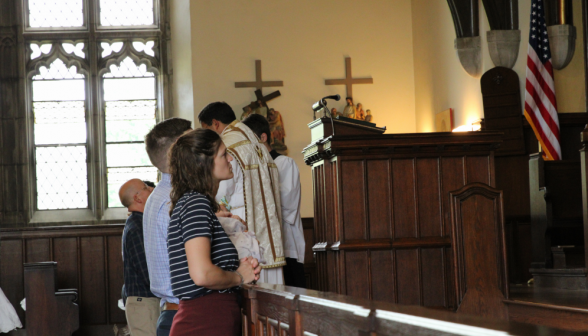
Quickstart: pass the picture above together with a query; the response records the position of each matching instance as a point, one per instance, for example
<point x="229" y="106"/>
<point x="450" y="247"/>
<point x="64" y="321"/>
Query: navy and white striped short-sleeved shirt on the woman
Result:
<point x="192" y="217"/>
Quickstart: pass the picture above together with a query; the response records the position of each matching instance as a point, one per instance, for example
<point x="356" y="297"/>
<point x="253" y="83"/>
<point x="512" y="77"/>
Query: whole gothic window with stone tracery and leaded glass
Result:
<point x="95" y="81"/>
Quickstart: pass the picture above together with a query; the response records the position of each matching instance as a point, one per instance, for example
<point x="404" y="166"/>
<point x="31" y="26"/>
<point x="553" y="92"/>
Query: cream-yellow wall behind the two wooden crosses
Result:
<point x="303" y="43"/>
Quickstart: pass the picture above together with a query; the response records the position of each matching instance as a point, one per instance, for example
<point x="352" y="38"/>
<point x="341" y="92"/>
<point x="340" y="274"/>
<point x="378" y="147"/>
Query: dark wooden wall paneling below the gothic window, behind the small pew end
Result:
<point x="88" y="259"/>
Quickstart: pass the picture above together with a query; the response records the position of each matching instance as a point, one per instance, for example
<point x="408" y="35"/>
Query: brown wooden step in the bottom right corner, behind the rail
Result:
<point x="564" y="309"/>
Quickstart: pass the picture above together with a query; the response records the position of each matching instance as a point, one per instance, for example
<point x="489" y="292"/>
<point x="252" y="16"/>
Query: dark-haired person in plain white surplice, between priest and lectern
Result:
<point x="292" y="231"/>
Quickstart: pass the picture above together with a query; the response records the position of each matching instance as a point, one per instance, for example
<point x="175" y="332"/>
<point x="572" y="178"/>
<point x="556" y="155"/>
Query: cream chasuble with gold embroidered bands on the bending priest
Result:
<point x="261" y="190"/>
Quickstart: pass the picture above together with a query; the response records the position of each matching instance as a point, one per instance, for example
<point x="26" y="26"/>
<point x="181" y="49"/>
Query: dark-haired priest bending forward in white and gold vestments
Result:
<point x="253" y="193"/>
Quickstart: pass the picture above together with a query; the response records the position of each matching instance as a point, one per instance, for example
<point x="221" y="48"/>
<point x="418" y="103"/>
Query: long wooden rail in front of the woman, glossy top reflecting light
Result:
<point x="279" y="310"/>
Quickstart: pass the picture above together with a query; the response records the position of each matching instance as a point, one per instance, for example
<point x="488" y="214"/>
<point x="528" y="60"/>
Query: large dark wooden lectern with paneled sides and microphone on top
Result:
<point x="383" y="222"/>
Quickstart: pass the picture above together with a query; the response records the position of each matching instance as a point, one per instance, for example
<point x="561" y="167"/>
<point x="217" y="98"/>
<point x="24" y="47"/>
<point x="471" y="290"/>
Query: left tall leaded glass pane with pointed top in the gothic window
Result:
<point x="60" y="137"/>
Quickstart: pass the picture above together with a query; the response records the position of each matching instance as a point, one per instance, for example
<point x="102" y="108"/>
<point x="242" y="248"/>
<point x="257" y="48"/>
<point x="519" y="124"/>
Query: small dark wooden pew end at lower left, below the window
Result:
<point x="50" y="312"/>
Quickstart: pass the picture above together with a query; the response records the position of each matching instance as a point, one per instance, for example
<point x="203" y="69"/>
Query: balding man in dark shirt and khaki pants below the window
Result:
<point x="142" y="307"/>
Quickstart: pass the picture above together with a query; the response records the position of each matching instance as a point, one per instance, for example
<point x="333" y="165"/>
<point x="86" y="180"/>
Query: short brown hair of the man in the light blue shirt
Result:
<point x="162" y="136"/>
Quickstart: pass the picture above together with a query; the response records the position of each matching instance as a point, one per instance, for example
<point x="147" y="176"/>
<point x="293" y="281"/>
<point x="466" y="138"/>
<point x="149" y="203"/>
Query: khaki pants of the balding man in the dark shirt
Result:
<point x="142" y="314"/>
